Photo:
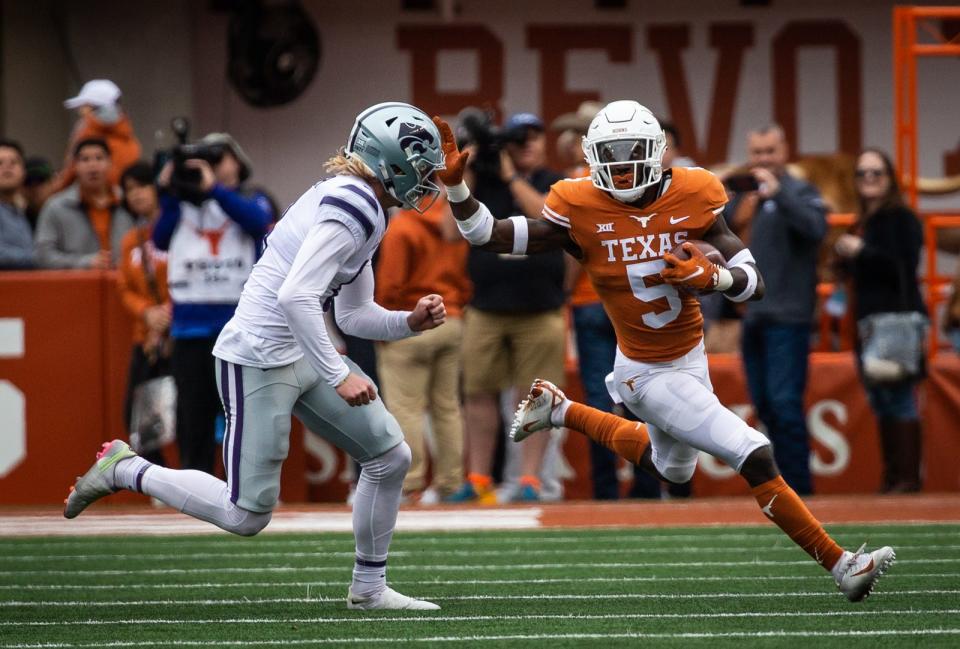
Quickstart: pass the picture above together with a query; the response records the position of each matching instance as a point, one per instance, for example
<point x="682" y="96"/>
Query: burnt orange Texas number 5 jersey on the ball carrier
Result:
<point x="623" y="249"/>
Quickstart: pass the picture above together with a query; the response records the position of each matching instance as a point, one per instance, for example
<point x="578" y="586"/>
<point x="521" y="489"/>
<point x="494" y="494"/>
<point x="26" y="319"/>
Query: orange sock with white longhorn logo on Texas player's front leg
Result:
<point x="783" y="506"/>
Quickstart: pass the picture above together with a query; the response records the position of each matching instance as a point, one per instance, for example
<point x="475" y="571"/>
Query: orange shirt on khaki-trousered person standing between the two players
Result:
<point x="416" y="260"/>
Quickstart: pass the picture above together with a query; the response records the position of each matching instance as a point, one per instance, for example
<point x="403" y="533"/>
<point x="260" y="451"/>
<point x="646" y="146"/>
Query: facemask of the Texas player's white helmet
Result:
<point x="625" y="166"/>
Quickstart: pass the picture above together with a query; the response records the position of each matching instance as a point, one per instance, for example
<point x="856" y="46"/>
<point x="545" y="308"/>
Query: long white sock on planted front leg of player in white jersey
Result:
<point x="375" y="508"/>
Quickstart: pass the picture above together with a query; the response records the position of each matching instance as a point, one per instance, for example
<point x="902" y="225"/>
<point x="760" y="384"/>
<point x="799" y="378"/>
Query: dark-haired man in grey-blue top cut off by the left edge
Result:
<point x="16" y="239"/>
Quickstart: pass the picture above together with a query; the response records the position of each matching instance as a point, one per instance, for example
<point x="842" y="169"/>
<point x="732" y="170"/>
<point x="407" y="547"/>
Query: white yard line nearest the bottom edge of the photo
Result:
<point x="496" y="638"/>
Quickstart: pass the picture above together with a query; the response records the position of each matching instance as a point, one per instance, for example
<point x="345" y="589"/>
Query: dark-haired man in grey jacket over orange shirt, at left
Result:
<point x="82" y="226"/>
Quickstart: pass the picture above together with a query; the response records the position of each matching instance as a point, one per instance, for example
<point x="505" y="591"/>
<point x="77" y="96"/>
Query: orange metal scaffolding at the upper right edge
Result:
<point x="908" y="22"/>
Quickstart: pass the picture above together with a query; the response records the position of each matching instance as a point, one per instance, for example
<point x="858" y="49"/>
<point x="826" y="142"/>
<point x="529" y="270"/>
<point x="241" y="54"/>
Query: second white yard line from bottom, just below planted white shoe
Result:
<point x="484" y="618"/>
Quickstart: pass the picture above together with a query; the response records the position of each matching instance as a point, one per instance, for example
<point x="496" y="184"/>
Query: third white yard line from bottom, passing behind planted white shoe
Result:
<point x="540" y="597"/>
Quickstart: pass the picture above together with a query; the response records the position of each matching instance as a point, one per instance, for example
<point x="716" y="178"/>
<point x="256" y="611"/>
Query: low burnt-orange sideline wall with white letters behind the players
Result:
<point x="64" y="349"/>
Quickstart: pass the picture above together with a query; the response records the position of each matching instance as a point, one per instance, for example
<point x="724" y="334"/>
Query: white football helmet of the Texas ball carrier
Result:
<point x="624" y="147"/>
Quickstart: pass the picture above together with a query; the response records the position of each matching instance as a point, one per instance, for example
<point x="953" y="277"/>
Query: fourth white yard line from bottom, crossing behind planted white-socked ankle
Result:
<point x="458" y="582"/>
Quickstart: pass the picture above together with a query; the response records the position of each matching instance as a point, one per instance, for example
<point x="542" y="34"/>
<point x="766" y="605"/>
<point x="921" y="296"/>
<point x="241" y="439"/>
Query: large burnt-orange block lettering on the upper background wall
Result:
<point x="730" y="40"/>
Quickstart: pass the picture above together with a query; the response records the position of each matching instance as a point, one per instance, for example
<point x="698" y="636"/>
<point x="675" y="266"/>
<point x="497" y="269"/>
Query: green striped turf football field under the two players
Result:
<point x="672" y="587"/>
